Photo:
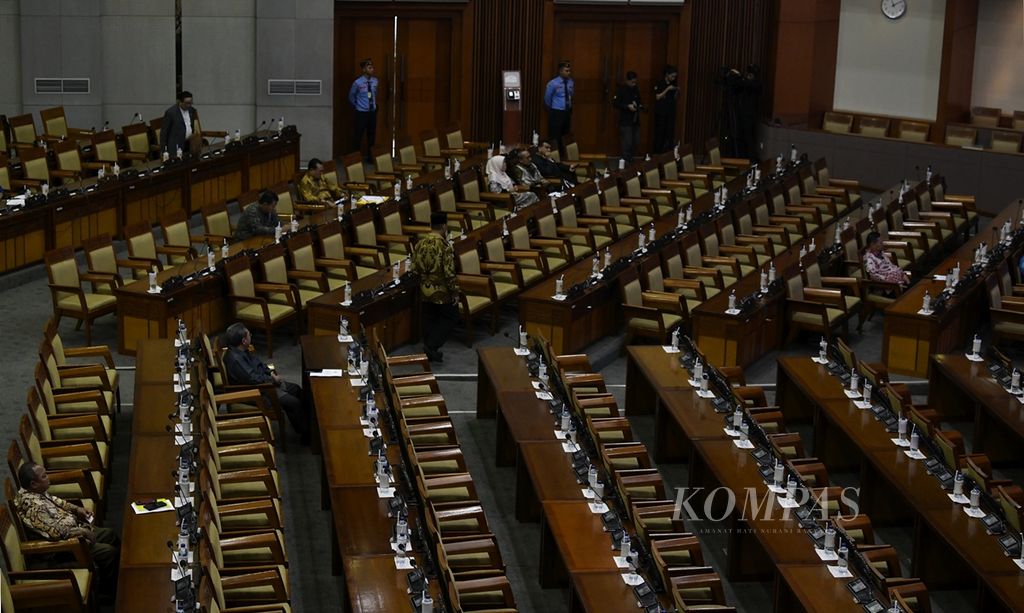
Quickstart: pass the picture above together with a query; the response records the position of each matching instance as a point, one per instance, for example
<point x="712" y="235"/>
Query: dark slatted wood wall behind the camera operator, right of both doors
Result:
<point x="724" y="33"/>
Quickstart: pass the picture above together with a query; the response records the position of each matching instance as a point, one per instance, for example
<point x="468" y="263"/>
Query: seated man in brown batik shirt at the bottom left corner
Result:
<point x="57" y="519"/>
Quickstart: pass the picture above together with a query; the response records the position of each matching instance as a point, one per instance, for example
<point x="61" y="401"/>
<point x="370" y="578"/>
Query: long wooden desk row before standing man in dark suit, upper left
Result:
<point x="109" y="206"/>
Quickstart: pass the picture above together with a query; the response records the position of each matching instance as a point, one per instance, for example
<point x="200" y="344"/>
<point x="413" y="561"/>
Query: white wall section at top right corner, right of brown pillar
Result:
<point x="999" y="56"/>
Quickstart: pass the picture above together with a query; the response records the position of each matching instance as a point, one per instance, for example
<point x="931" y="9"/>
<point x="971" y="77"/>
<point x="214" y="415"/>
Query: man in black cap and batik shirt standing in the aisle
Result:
<point x="434" y="259"/>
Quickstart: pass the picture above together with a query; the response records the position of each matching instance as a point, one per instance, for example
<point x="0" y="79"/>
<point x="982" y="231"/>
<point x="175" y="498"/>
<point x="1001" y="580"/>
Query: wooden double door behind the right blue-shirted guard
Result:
<point x="603" y="49"/>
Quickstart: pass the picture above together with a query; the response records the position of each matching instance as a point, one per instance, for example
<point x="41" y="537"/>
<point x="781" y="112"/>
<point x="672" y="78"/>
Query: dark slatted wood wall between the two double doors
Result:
<point x="507" y="36"/>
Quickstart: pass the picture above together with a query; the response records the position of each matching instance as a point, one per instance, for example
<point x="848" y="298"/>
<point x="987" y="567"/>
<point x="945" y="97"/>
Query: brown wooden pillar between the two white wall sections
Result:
<point x="957" y="74"/>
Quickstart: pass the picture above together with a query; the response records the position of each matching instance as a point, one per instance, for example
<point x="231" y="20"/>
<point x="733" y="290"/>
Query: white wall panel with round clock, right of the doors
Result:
<point x="890" y="67"/>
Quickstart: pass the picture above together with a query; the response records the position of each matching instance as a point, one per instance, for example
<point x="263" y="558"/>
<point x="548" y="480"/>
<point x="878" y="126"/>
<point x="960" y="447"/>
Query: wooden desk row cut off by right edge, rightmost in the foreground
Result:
<point x="960" y="388"/>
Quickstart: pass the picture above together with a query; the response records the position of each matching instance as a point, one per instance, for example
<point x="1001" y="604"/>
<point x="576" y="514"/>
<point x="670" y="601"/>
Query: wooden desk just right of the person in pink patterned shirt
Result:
<point x="911" y="339"/>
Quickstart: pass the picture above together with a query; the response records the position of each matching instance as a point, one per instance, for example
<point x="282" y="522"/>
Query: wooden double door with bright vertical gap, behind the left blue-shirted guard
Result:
<point x="414" y="57"/>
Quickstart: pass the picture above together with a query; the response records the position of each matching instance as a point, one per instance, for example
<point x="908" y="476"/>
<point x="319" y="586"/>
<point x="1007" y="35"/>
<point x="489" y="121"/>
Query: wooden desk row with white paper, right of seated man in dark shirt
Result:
<point x="361" y="530"/>
